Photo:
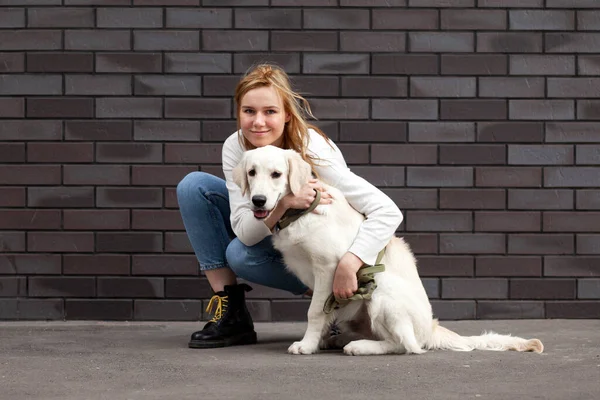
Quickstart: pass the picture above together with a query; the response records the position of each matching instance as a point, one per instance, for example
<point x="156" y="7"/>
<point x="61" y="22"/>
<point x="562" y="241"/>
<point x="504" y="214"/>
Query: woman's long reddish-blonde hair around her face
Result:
<point x="295" y="131"/>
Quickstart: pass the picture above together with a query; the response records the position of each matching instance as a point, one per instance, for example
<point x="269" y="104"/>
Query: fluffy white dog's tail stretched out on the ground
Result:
<point x="445" y="339"/>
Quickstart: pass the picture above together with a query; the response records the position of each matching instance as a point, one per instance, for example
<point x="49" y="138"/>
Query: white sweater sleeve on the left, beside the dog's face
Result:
<point x="248" y="229"/>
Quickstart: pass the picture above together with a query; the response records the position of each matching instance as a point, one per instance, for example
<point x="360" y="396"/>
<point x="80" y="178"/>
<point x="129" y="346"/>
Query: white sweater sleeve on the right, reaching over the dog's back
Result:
<point x="383" y="217"/>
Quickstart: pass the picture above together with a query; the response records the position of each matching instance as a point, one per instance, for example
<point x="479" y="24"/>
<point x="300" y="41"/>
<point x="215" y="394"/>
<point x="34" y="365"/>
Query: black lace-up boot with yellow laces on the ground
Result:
<point x="231" y="324"/>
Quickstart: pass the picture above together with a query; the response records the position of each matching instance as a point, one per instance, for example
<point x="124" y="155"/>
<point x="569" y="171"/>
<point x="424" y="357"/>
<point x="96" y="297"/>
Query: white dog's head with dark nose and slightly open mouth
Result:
<point x="268" y="173"/>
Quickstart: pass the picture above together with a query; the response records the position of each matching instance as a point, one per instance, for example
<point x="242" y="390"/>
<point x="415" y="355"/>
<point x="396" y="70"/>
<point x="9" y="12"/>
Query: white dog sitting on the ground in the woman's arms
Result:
<point x="398" y="317"/>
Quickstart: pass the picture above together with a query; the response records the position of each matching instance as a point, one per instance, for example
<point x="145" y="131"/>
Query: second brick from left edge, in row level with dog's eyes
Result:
<point x="96" y="175"/>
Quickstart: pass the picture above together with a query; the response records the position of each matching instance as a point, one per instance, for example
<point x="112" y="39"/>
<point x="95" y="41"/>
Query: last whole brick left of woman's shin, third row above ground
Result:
<point x="164" y="265"/>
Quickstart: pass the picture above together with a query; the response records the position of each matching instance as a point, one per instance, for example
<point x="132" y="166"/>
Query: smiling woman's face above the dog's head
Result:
<point x="262" y="117"/>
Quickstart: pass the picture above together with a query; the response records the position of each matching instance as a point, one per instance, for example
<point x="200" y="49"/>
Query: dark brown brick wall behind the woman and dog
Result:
<point x="480" y="118"/>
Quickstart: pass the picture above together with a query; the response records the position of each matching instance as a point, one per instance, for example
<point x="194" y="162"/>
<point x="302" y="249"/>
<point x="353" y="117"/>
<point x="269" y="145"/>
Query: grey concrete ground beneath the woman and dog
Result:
<point x="116" y="360"/>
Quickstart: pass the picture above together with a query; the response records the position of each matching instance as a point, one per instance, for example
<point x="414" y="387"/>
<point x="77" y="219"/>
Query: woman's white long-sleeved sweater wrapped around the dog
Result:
<point x="383" y="216"/>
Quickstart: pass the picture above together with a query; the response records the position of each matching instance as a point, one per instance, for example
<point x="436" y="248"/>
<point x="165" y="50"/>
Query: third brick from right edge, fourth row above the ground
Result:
<point x="472" y="243"/>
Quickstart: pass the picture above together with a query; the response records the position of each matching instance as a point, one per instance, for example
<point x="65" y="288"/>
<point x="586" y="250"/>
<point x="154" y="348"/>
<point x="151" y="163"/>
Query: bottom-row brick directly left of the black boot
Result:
<point x="167" y="310"/>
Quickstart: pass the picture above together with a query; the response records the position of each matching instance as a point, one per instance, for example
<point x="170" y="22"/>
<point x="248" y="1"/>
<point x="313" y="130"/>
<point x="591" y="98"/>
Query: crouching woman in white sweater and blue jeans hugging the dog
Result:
<point x="230" y="241"/>
